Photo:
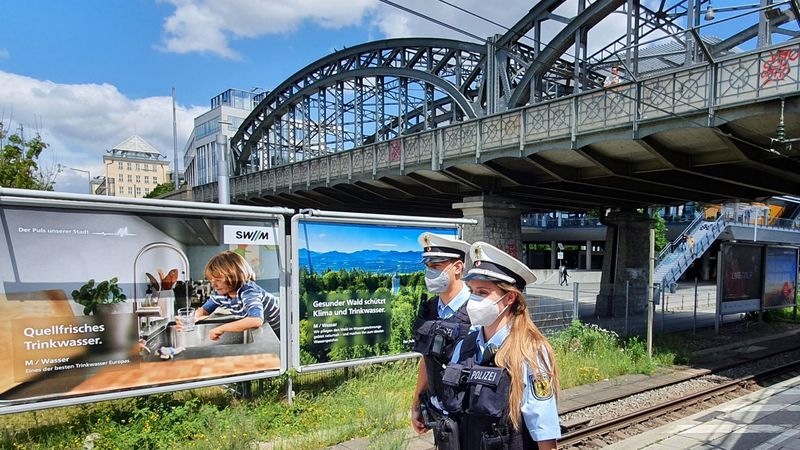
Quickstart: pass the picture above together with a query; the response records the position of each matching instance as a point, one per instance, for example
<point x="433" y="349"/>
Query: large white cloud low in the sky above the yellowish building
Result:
<point x="80" y="122"/>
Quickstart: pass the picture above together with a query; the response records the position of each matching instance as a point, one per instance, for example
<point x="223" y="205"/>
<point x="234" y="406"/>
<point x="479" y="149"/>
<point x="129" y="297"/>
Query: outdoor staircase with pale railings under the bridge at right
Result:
<point x="675" y="258"/>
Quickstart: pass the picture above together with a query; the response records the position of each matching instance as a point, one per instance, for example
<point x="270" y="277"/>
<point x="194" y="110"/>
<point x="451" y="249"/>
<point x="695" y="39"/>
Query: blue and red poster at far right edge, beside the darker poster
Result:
<point x="780" y="277"/>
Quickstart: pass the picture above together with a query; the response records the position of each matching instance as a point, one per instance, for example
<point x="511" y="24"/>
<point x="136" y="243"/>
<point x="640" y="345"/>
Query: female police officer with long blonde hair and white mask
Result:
<point x="502" y="379"/>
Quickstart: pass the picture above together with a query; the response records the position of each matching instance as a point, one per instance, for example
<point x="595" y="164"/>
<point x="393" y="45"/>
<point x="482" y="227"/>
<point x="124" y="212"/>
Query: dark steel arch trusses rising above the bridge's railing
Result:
<point x="383" y="90"/>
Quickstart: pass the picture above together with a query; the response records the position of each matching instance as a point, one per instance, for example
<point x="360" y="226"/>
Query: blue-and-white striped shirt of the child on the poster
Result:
<point x="251" y="301"/>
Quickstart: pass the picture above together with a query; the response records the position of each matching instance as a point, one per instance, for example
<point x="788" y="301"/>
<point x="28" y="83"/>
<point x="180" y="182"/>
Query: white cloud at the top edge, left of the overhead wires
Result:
<point x="210" y="25"/>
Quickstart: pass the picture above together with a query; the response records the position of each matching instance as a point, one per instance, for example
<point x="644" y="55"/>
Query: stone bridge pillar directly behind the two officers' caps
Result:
<point x="498" y="224"/>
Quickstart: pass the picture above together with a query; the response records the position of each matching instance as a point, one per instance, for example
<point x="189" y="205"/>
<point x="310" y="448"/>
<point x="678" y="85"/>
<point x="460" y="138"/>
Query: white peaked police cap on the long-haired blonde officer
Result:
<point x="492" y="264"/>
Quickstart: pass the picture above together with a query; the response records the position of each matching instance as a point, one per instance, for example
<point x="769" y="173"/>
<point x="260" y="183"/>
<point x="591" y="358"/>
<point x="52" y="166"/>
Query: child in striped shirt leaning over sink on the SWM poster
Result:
<point x="233" y="281"/>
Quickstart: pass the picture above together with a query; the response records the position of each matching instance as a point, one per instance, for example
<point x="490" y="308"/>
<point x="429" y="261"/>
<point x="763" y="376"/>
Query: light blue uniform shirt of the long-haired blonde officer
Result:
<point x="540" y="413"/>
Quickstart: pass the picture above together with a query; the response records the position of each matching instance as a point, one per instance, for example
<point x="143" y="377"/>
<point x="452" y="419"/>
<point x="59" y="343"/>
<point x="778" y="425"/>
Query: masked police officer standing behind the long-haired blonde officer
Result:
<point x="442" y="322"/>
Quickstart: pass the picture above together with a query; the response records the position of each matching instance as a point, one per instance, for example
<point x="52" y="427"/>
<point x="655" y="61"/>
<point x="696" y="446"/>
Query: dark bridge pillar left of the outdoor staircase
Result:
<point x="625" y="265"/>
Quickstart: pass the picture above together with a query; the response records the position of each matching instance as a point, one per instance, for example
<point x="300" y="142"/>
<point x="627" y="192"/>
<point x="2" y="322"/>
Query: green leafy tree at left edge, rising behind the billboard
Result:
<point x="19" y="166"/>
